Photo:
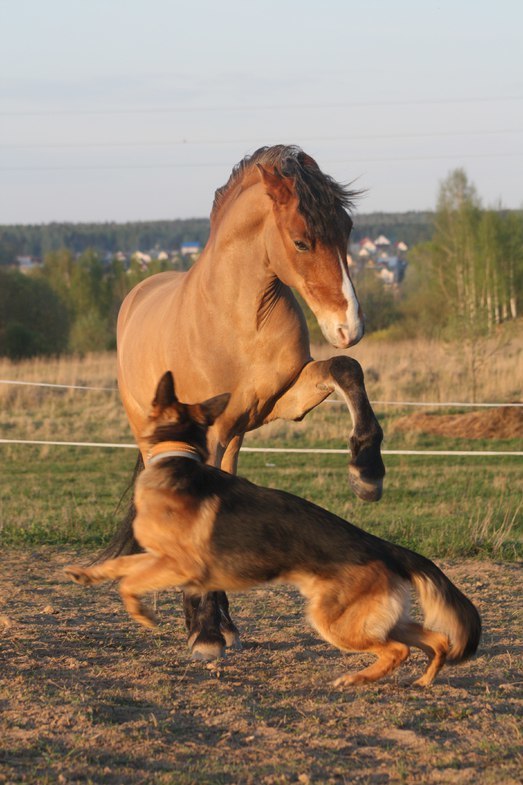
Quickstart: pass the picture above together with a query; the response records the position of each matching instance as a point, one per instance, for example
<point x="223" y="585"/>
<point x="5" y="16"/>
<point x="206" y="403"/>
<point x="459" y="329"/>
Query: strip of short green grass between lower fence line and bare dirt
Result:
<point x="441" y="506"/>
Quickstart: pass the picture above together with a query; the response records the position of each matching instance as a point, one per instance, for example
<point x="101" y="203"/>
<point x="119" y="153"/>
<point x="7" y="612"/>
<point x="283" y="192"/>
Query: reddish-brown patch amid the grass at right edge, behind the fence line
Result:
<point x="503" y="423"/>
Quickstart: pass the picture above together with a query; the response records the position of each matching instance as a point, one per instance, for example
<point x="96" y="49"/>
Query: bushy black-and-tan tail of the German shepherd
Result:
<point x="445" y="607"/>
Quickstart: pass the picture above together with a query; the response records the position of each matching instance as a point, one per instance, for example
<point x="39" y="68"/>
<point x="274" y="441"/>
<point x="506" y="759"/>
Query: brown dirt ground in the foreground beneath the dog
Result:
<point x="87" y="696"/>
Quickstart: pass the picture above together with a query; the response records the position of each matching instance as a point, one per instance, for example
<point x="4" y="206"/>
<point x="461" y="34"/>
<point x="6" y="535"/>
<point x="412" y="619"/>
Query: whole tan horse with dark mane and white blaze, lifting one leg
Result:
<point x="231" y="324"/>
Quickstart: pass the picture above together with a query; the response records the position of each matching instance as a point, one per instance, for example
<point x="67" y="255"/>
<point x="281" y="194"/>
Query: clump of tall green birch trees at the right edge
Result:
<point x="472" y="267"/>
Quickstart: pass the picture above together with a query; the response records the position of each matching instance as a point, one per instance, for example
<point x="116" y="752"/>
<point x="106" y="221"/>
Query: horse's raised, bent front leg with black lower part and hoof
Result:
<point x="344" y="375"/>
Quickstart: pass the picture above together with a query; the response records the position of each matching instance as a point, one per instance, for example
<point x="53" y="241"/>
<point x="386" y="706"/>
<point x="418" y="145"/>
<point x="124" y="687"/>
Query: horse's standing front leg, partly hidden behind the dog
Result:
<point x="209" y="625"/>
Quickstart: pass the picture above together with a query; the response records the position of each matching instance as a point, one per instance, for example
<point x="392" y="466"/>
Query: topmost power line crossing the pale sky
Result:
<point x="258" y="107"/>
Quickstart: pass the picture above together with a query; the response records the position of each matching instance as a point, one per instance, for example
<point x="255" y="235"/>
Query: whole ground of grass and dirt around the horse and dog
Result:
<point x="87" y="696"/>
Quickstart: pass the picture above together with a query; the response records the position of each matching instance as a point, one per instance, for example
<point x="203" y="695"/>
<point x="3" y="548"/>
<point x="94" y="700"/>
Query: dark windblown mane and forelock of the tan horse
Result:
<point x="322" y="201"/>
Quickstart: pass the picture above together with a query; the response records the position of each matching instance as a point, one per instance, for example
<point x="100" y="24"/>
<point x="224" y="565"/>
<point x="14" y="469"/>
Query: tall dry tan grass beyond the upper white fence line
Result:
<point x="395" y="370"/>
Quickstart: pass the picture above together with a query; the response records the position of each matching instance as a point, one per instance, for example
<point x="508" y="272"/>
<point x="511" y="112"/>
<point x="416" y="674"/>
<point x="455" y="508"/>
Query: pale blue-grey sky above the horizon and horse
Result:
<point x="124" y="110"/>
